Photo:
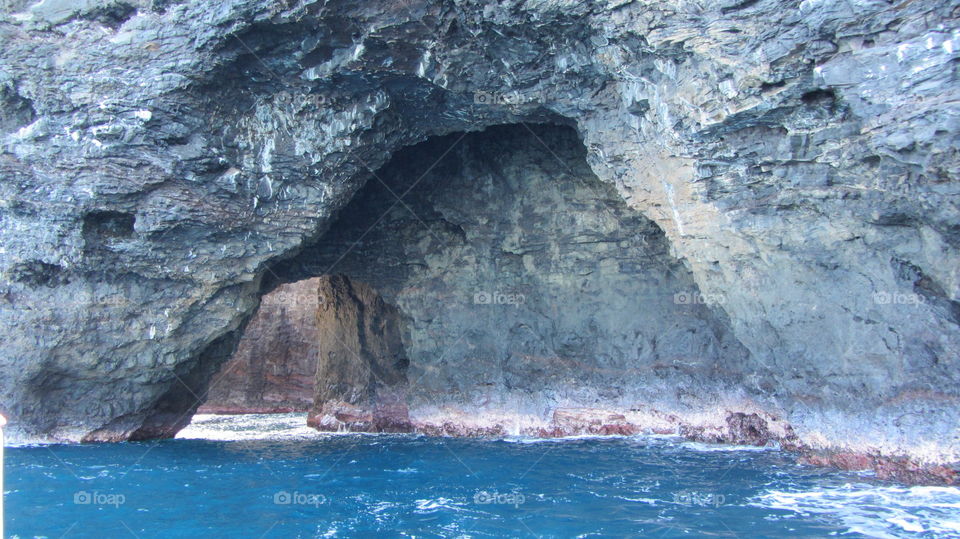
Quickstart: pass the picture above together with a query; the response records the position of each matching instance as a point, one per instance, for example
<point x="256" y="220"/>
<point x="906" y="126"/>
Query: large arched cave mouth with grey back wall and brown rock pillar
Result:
<point x="512" y="285"/>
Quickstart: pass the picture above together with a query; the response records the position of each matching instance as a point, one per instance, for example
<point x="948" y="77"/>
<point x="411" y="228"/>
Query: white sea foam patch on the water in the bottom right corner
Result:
<point x="885" y="512"/>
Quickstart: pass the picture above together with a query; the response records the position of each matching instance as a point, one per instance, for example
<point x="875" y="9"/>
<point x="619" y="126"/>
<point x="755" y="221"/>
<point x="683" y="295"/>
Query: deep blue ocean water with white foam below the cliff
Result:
<point x="269" y="476"/>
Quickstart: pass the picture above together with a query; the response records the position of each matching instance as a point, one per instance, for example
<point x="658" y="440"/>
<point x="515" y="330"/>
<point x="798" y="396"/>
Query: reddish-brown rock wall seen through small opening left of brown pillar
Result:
<point x="275" y="364"/>
